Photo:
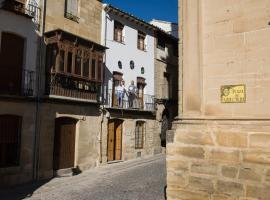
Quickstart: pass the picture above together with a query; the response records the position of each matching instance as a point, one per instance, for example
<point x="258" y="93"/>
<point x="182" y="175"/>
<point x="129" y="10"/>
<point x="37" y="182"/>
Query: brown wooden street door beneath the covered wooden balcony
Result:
<point x="64" y="143"/>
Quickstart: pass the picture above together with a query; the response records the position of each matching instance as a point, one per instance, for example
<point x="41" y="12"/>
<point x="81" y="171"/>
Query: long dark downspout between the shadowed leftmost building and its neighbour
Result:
<point x="36" y="147"/>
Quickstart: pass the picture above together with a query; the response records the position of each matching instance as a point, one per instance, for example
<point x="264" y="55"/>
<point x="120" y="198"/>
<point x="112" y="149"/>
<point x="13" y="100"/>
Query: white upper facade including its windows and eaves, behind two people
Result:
<point x="130" y="54"/>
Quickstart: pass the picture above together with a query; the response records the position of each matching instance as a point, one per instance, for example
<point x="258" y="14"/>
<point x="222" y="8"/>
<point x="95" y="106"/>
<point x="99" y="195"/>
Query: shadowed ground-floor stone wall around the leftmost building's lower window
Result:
<point x="22" y="173"/>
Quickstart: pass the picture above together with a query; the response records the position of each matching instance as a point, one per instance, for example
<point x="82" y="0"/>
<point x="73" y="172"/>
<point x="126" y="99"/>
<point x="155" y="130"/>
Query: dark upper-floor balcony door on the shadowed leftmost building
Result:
<point x="11" y="62"/>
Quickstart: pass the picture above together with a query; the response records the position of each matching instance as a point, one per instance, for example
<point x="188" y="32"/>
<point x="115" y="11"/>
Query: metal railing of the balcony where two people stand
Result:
<point x="145" y="103"/>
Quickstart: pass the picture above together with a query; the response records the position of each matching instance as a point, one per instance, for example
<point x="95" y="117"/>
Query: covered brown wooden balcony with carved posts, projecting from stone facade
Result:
<point x="74" y="67"/>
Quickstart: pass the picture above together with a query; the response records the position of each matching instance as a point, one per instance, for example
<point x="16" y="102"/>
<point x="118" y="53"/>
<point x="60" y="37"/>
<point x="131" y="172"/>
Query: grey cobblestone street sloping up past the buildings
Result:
<point x="142" y="179"/>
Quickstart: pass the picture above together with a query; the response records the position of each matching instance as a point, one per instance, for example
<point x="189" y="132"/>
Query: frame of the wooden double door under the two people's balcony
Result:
<point x="121" y="122"/>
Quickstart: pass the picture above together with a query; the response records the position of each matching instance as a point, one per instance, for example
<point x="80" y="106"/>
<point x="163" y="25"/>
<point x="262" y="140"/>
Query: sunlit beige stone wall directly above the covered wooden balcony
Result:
<point x="89" y="25"/>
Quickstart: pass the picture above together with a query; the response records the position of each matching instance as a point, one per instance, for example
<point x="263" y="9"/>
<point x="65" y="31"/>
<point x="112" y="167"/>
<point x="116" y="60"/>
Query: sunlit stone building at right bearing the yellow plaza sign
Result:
<point x="220" y="148"/>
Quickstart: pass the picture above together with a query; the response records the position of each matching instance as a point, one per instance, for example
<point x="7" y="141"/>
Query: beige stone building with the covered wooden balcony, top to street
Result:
<point x="69" y="114"/>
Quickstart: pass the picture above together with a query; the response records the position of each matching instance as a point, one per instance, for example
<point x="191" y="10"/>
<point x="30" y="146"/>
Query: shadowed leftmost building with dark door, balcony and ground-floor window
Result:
<point x="18" y="54"/>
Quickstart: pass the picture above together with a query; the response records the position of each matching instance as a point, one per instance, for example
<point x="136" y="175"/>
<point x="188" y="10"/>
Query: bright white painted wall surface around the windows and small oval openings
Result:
<point x="127" y="52"/>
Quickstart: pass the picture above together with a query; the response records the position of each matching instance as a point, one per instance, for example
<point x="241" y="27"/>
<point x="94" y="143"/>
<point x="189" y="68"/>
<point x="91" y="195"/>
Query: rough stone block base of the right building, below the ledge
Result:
<point x="219" y="161"/>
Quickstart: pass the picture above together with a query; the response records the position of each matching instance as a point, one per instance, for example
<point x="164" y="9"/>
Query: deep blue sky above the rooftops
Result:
<point x="148" y="9"/>
